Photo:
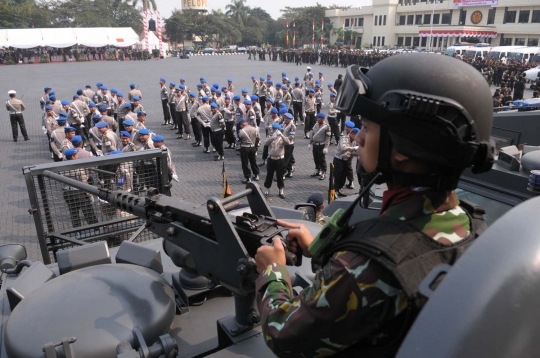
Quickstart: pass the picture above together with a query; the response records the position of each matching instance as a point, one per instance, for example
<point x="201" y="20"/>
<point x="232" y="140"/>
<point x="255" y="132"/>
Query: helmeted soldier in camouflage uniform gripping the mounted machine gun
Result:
<point x="362" y="303"/>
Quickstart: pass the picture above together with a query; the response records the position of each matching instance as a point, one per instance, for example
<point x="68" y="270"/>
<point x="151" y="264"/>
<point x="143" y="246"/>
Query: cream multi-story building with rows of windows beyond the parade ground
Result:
<point x="437" y="24"/>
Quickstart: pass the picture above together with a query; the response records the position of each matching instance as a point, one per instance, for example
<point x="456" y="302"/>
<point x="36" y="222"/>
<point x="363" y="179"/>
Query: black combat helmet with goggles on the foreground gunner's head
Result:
<point x="436" y="109"/>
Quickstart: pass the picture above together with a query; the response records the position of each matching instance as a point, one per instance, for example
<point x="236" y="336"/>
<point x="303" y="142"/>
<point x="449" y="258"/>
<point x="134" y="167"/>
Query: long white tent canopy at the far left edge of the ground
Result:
<point x="65" y="37"/>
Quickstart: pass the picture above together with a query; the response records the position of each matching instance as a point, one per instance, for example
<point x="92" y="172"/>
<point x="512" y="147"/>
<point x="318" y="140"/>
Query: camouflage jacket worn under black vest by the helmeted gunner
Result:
<point x="352" y="296"/>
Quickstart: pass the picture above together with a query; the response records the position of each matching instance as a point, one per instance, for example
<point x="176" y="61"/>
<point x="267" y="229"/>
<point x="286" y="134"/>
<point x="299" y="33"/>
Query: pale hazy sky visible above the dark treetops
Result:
<point x="272" y="7"/>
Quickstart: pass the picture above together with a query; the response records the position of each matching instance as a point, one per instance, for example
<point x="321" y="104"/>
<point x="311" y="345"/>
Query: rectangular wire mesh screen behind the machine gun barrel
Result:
<point x="69" y="213"/>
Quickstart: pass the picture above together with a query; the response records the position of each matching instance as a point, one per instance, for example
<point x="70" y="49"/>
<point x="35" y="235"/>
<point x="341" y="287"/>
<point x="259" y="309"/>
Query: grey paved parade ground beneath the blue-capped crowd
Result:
<point x="200" y="175"/>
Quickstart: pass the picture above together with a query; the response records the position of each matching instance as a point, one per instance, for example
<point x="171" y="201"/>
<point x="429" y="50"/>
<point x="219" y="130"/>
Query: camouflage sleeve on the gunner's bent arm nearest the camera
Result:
<point x="350" y="298"/>
